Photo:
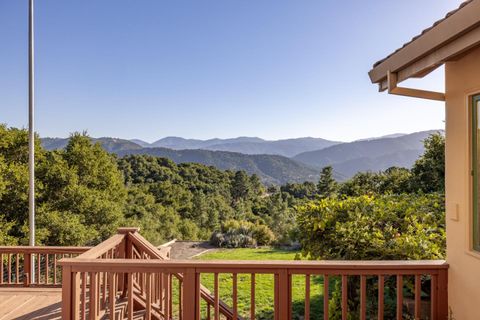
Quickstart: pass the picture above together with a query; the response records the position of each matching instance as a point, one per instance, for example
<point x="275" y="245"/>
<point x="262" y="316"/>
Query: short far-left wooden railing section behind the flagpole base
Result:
<point x="34" y="266"/>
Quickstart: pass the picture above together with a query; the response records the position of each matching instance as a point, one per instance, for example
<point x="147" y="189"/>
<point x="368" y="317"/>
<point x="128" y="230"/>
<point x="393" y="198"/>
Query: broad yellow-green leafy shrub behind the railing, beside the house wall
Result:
<point x="383" y="227"/>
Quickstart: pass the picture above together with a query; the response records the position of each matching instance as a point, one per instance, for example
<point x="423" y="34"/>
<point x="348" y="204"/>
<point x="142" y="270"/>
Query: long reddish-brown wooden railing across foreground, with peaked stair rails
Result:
<point x="124" y="278"/>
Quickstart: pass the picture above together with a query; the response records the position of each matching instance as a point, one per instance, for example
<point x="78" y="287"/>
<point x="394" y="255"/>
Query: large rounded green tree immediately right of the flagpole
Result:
<point x="83" y="187"/>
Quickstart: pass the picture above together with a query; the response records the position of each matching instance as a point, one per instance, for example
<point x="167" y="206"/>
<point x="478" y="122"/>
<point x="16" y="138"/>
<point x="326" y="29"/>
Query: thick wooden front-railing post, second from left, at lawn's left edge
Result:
<point x="191" y="295"/>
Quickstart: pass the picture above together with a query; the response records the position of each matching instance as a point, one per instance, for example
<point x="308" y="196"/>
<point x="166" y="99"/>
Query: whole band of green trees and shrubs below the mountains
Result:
<point x="84" y="193"/>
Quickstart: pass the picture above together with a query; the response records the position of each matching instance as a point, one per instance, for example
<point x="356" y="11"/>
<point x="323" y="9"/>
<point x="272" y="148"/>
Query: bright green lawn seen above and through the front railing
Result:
<point x="264" y="284"/>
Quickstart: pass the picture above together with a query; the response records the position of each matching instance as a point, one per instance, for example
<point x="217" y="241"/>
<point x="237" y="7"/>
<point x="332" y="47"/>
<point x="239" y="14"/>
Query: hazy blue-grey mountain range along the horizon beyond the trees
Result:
<point x="280" y="161"/>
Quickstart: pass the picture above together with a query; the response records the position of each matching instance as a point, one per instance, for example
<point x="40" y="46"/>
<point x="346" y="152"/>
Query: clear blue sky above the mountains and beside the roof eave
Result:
<point x="213" y="68"/>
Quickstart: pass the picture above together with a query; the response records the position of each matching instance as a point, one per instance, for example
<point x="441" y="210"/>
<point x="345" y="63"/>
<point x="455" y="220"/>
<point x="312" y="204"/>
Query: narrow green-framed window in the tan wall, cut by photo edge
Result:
<point x="476" y="171"/>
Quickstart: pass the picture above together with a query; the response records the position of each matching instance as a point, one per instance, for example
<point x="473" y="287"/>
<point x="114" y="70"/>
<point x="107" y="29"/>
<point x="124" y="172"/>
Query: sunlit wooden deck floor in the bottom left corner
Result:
<point x="30" y="303"/>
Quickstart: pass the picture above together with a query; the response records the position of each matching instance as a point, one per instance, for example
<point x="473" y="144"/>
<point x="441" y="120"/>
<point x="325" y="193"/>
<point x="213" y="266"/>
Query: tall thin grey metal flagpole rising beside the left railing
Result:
<point x="31" y="134"/>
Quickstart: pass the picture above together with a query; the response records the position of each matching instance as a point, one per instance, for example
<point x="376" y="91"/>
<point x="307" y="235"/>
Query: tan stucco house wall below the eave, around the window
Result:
<point x="462" y="80"/>
